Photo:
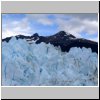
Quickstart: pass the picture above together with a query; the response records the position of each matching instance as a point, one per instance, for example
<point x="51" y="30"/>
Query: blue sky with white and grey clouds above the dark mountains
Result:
<point x="81" y="25"/>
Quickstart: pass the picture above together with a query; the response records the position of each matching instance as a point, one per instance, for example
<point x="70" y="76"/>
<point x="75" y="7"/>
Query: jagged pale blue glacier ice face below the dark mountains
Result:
<point x="25" y="64"/>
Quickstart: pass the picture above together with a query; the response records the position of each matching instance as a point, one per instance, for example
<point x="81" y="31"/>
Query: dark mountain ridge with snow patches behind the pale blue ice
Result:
<point x="62" y="39"/>
